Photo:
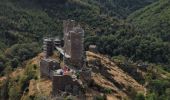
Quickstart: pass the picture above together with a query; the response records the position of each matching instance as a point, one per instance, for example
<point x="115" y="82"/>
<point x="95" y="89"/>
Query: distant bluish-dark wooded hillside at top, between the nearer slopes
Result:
<point x="118" y="8"/>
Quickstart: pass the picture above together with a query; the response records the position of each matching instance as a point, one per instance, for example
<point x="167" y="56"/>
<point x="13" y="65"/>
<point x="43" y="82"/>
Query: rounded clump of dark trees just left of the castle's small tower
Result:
<point x="21" y="52"/>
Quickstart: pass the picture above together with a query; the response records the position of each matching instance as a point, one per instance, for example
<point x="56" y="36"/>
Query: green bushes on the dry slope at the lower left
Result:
<point x="16" y="86"/>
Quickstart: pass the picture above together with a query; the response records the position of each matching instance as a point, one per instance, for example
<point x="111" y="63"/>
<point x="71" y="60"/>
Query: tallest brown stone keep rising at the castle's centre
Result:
<point x="74" y="42"/>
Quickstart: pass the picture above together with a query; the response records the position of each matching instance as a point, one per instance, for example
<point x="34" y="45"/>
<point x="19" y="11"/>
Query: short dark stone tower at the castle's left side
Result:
<point x="48" y="47"/>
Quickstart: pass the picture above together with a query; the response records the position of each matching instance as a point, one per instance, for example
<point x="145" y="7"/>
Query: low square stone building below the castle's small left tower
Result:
<point x="47" y="66"/>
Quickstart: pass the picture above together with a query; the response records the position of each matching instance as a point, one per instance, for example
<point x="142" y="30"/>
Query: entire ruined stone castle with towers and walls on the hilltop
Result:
<point x="71" y="76"/>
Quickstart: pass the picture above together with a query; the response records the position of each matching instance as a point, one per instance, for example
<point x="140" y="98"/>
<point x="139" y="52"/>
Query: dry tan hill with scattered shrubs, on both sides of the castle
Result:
<point x="108" y="79"/>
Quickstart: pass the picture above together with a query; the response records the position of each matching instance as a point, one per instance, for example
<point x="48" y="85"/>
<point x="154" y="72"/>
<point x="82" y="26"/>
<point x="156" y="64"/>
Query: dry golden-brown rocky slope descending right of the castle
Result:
<point x="108" y="75"/>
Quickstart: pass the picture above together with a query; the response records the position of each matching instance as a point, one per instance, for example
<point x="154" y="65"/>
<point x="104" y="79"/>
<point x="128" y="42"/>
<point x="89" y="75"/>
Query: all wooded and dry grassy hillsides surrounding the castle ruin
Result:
<point x="140" y="41"/>
